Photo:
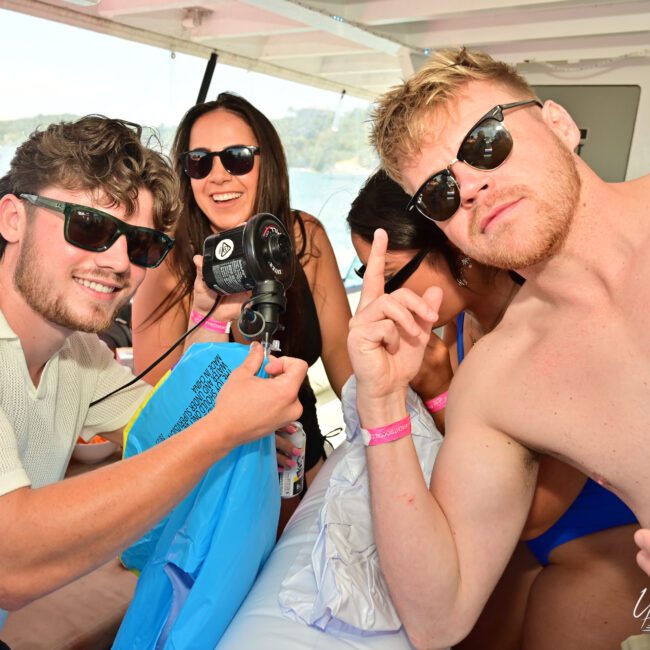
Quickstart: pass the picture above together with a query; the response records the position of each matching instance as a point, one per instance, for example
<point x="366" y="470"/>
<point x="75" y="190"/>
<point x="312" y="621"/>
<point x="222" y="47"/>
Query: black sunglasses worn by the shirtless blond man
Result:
<point x="486" y="146"/>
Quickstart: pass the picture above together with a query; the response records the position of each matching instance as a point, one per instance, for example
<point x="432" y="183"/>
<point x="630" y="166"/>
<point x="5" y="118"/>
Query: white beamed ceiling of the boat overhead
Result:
<point x="365" y="47"/>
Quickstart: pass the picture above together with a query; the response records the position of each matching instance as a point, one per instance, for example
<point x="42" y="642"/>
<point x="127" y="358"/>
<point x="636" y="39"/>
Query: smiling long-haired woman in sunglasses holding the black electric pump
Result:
<point x="231" y="166"/>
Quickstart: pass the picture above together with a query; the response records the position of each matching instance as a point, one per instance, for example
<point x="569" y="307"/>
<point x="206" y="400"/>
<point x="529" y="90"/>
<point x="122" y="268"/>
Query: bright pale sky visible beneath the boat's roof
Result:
<point x="51" y="68"/>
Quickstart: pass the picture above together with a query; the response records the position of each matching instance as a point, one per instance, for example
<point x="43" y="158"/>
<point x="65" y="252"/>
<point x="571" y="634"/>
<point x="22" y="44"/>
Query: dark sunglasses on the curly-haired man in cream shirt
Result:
<point x="94" y="230"/>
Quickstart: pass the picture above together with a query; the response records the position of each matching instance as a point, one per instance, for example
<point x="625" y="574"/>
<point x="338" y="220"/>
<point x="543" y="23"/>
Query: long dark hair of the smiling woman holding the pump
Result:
<point x="272" y="196"/>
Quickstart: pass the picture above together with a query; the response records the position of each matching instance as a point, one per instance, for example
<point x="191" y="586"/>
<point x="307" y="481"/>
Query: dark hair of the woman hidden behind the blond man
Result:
<point x="381" y="203"/>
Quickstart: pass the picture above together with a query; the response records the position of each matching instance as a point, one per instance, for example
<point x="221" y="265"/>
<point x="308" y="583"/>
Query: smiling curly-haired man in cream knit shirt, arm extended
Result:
<point x="71" y="192"/>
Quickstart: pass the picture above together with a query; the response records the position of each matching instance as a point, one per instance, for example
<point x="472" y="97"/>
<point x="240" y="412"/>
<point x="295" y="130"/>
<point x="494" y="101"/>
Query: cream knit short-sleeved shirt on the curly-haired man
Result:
<point x="39" y="425"/>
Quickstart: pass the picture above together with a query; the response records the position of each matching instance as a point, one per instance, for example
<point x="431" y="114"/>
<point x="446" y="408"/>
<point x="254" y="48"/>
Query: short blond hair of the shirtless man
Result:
<point x="399" y="124"/>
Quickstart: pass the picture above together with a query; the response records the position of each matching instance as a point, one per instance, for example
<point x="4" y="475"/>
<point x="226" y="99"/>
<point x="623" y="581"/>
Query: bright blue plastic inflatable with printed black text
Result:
<point x="198" y="565"/>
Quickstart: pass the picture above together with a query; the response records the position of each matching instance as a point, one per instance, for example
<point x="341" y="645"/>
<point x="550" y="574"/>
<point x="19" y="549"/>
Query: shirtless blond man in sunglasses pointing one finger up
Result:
<point x="564" y="373"/>
